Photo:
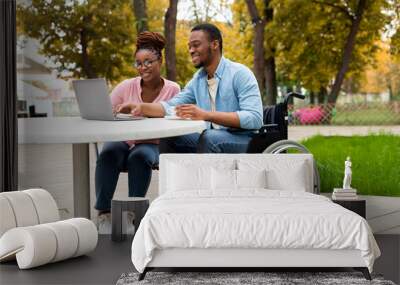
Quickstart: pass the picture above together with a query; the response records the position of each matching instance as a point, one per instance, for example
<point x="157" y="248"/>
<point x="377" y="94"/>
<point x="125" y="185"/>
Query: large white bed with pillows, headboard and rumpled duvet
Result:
<point x="204" y="196"/>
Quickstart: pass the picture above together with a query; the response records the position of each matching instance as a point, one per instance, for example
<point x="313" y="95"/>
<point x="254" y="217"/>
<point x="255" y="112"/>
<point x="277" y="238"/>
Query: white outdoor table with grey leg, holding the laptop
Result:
<point x="80" y="133"/>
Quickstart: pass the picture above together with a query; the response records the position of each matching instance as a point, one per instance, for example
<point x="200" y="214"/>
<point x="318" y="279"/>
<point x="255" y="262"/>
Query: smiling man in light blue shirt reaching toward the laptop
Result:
<point x="222" y="92"/>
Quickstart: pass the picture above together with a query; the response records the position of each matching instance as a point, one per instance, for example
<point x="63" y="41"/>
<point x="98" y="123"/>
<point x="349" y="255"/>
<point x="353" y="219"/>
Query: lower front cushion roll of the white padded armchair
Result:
<point x="41" y="244"/>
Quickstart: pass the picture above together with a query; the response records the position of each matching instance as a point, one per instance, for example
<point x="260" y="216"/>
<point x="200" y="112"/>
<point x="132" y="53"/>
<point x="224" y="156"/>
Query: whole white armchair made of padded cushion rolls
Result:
<point x="31" y="233"/>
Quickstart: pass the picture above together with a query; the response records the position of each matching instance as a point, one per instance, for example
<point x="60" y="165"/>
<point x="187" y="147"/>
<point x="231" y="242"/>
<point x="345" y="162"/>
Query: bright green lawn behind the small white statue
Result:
<point x="375" y="162"/>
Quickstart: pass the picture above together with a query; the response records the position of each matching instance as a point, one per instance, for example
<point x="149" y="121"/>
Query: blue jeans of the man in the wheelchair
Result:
<point x="210" y="141"/>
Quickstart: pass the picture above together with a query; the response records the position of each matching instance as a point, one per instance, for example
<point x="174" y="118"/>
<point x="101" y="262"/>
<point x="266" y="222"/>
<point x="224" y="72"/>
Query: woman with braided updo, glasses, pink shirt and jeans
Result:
<point x="137" y="157"/>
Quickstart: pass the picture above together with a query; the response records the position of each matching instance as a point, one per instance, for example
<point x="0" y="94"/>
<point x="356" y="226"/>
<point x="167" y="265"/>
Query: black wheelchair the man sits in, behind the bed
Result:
<point x="272" y="137"/>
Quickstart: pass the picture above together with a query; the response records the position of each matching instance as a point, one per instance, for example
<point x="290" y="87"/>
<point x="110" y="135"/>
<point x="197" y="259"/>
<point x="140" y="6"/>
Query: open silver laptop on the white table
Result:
<point x="95" y="103"/>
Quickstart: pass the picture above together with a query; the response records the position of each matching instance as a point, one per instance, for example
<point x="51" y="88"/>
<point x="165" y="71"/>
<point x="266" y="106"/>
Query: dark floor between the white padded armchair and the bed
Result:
<point x="103" y="266"/>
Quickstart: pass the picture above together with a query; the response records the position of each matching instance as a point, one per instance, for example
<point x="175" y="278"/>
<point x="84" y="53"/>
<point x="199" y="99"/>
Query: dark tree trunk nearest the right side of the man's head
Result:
<point x="259" y="61"/>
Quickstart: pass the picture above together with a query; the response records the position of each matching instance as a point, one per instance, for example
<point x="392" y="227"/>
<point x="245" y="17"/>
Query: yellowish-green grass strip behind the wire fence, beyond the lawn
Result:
<point x="374" y="115"/>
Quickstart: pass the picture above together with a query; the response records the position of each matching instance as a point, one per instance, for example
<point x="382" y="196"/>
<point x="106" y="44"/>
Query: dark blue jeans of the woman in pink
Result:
<point x="116" y="157"/>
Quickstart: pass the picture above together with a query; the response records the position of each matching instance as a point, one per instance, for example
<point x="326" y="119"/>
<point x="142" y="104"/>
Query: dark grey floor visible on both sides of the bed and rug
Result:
<point x="110" y="260"/>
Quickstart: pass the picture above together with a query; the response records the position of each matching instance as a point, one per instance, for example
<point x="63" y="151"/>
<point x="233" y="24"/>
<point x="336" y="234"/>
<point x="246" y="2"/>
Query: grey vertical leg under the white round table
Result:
<point x="81" y="176"/>
